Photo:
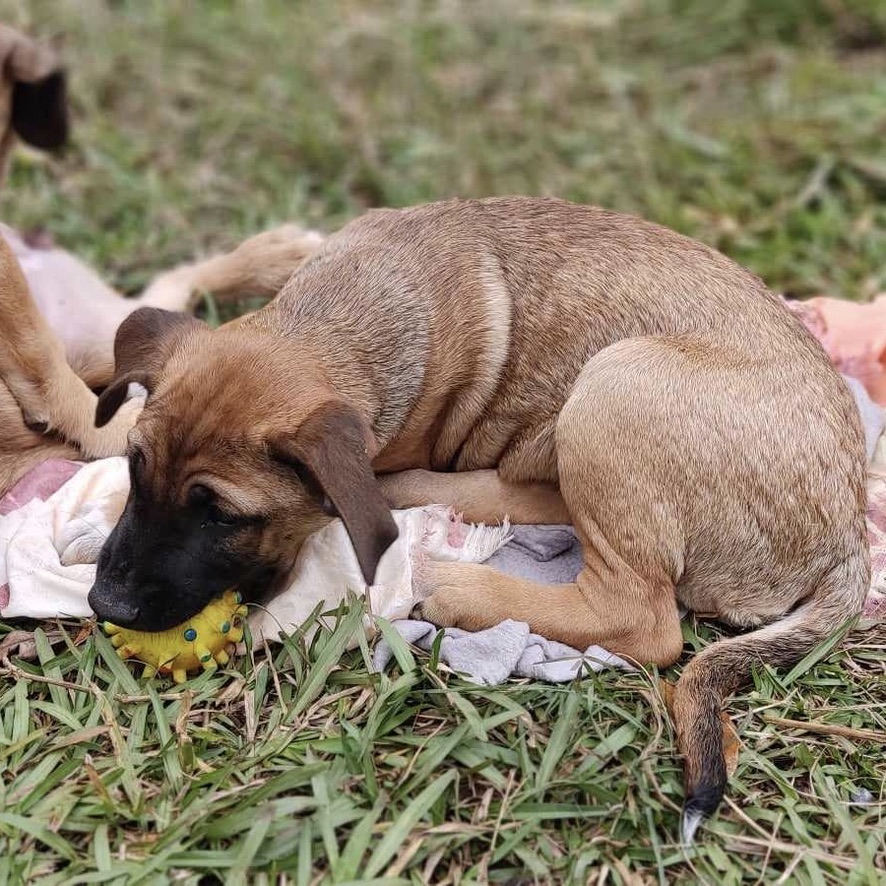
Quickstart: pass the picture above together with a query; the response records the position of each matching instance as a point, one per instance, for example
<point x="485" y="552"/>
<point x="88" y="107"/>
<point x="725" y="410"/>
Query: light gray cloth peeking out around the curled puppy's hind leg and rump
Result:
<point x="547" y="555"/>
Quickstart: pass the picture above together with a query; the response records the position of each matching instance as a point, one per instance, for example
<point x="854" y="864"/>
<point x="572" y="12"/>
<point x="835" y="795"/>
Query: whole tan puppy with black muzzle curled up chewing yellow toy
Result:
<point x="556" y="362"/>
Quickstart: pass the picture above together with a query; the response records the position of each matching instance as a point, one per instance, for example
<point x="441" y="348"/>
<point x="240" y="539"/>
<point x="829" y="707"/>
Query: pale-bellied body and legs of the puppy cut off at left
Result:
<point x="57" y="335"/>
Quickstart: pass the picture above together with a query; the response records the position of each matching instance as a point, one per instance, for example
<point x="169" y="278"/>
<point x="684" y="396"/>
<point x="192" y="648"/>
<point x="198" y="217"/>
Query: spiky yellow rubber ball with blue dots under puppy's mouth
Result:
<point x="198" y="643"/>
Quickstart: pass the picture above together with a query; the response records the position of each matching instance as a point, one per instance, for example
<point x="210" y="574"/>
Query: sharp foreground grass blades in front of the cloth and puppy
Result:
<point x="303" y="765"/>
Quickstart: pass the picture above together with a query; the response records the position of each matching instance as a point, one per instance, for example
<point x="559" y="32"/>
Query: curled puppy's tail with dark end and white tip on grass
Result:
<point x="726" y="666"/>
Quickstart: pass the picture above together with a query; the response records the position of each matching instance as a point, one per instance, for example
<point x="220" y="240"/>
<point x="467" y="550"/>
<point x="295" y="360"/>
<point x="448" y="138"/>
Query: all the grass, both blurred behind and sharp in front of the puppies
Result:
<point x="755" y="126"/>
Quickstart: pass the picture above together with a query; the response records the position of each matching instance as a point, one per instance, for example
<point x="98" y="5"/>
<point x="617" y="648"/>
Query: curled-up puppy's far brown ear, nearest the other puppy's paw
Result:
<point x="143" y="344"/>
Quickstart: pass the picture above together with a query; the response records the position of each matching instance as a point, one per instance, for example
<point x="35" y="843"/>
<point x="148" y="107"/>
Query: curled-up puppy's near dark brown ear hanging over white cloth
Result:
<point x="329" y="453"/>
